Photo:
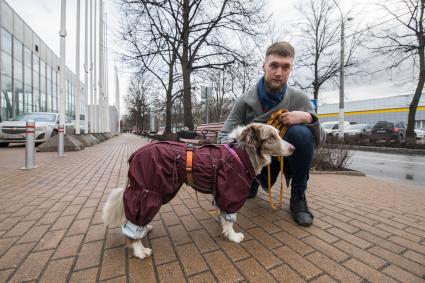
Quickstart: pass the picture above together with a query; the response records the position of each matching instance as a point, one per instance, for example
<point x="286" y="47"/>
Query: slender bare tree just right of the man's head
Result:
<point x="320" y="36"/>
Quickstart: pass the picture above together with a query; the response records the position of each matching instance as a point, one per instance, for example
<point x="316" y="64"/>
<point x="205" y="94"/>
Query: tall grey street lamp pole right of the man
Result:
<point x="341" y="78"/>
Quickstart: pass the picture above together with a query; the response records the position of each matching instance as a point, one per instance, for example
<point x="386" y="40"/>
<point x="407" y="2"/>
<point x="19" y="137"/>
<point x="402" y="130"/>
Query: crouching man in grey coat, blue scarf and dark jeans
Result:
<point x="270" y="94"/>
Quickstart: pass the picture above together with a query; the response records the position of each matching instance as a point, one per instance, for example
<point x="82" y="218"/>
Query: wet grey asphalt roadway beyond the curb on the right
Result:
<point x="392" y="167"/>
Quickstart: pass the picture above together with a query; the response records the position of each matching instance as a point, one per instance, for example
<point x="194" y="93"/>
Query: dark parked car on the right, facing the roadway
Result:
<point x="388" y="131"/>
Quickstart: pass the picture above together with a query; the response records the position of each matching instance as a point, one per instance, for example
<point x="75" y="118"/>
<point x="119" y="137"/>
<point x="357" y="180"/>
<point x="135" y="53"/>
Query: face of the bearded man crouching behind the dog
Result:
<point x="276" y="72"/>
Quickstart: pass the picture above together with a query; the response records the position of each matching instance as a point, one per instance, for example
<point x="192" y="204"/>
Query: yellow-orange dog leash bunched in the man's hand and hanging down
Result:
<point x="275" y="121"/>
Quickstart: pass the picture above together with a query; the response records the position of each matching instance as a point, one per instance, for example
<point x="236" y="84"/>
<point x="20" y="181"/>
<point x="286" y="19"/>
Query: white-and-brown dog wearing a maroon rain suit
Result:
<point x="158" y="170"/>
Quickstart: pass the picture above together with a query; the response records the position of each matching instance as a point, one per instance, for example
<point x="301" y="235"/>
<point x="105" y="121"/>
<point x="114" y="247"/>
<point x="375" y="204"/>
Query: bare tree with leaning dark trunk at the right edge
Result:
<point x="402" y="42"/>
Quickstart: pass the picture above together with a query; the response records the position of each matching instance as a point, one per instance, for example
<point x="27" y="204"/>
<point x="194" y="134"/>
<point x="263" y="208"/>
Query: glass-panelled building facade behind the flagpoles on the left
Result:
<point x="29" y="77"/>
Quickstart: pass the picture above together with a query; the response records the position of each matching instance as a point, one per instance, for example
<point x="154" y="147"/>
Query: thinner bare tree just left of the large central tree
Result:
<point x="147" y="51"/>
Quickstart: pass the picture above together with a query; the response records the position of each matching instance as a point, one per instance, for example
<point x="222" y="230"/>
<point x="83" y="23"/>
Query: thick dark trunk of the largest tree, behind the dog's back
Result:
<point x="186" y="69"/>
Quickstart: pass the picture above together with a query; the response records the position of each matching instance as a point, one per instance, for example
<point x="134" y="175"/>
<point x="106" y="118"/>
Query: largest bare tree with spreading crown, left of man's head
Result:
<point x="204" y="30"/>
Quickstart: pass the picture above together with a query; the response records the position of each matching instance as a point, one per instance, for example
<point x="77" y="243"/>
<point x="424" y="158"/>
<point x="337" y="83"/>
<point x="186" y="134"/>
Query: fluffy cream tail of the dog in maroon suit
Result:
<point x="113" y="211"/>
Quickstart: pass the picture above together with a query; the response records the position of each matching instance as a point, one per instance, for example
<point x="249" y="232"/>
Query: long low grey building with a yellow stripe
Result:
<point x="370" y="111"/>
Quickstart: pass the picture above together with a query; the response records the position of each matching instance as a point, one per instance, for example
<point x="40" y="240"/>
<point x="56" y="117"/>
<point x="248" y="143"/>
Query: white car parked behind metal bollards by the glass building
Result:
<point x="46" y="126"/>
